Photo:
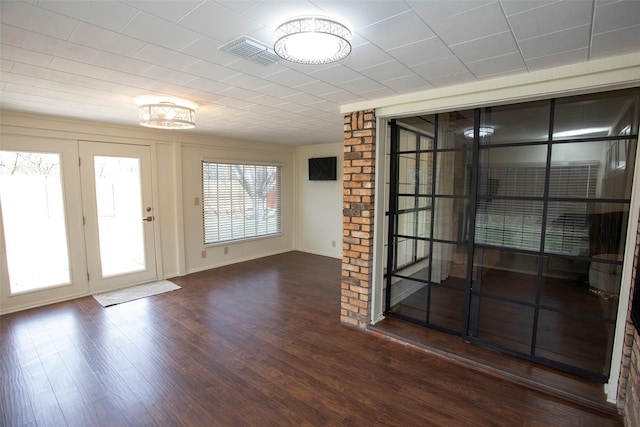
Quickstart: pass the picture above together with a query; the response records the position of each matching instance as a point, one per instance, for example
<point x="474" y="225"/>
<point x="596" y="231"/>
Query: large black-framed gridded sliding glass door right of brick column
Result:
<point x="508" y="227"/>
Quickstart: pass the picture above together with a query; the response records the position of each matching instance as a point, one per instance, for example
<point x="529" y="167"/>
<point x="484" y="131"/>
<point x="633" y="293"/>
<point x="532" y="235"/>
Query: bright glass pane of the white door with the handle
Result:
<point x="119" y="207"/>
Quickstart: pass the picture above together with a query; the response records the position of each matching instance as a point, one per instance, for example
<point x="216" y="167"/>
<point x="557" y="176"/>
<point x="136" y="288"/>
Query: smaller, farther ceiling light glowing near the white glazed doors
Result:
<point x="166" y="114"/>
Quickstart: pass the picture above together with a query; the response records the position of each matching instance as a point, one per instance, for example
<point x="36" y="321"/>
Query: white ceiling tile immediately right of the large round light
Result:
<point x="387" y="34"/>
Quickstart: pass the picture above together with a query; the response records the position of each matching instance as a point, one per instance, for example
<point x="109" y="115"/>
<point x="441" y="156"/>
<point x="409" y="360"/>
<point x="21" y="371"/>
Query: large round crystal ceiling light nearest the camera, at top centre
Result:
<point x="312" y="40"/>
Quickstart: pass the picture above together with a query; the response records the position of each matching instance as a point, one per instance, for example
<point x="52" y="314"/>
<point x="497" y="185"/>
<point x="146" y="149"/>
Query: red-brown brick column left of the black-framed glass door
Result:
<point x="357" y="220"/>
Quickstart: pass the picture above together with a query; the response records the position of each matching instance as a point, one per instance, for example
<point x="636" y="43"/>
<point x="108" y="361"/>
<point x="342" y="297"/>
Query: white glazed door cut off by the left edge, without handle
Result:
<point x="42" y="256"/>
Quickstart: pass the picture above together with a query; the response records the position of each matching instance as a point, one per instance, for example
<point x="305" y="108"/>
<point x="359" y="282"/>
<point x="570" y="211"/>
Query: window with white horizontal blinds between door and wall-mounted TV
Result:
<point x="240" y="201"/>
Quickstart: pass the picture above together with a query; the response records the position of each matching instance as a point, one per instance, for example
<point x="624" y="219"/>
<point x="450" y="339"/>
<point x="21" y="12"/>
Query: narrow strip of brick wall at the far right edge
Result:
<point x="629" y="385"/>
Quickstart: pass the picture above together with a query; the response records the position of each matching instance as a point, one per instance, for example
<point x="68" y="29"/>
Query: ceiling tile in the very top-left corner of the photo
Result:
<point x="26" y="16"/>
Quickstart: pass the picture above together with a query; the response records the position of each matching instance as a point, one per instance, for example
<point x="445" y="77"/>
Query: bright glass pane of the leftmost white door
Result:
<point x="33" y="215"/>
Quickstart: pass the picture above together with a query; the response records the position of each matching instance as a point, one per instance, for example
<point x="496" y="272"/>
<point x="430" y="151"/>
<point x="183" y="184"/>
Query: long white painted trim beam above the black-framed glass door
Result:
<point x="593" y="76"/>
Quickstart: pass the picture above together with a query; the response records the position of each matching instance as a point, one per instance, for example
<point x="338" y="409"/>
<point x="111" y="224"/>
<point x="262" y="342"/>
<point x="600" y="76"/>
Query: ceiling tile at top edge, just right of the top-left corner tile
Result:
<point x="111" y="15"/>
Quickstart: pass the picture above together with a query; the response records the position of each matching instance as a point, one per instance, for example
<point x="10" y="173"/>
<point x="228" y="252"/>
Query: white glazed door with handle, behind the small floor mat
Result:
<point x="118" y="214"/>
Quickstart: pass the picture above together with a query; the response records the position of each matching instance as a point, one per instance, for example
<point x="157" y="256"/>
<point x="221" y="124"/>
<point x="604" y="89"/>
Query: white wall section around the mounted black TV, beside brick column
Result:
<point x="319" y="217"/>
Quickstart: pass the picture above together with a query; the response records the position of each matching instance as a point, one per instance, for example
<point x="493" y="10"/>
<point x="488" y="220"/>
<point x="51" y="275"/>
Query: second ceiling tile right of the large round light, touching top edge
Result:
<point x="471" y="24"/>
